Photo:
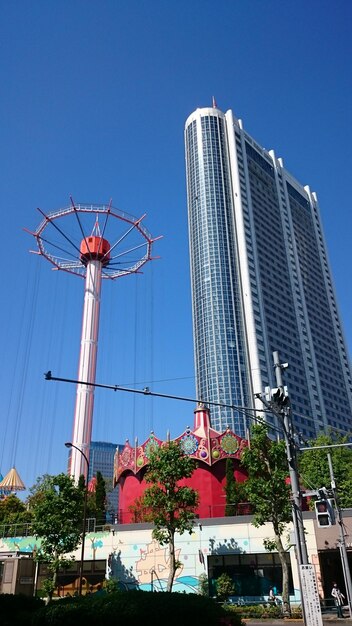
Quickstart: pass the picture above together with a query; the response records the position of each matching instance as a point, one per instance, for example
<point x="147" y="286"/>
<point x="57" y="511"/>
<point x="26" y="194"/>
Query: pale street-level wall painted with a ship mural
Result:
<point x="136" y="560"/>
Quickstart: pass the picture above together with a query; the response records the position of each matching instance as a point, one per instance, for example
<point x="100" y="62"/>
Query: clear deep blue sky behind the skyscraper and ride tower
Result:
<point x="94" y="99"/>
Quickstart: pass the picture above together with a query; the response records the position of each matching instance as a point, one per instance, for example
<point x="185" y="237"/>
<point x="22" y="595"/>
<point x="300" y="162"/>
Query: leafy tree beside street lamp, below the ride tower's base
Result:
<point x="57" y="507"/>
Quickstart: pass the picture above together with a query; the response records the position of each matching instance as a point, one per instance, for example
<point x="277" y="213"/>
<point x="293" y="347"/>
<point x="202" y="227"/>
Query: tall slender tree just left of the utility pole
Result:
<point x="268" y="492"/>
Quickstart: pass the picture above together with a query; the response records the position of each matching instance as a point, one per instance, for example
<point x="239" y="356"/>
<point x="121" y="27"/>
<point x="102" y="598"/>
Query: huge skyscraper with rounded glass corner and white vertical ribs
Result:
<point x="261" y="282"/>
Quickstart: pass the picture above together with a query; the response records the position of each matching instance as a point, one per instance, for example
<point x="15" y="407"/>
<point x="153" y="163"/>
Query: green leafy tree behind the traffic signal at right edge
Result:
<point x="314" y="467"/>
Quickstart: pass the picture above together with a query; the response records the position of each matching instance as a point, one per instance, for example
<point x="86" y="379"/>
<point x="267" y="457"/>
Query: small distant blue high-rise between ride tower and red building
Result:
<point x="101" y="459"/>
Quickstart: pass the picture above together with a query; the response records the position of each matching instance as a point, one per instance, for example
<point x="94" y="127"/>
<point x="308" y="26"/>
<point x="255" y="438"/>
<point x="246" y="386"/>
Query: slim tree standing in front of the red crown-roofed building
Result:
<point x="171" y="506"/>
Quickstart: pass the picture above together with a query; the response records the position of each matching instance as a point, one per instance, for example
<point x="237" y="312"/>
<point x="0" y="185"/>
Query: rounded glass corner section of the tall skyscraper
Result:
<point x="220" y="349"/>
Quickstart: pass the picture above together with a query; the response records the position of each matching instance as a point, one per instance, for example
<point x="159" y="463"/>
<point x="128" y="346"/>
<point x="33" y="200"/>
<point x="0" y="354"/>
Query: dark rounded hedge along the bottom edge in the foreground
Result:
<point x="134" y="607"/>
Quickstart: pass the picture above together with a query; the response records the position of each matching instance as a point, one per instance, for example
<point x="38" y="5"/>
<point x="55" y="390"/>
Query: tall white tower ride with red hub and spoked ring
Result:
<point x="94" y="260"/>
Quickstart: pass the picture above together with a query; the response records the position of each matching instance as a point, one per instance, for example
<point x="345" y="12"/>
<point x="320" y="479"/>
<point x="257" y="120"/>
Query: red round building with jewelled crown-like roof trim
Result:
<point x="208" y="447"/>
